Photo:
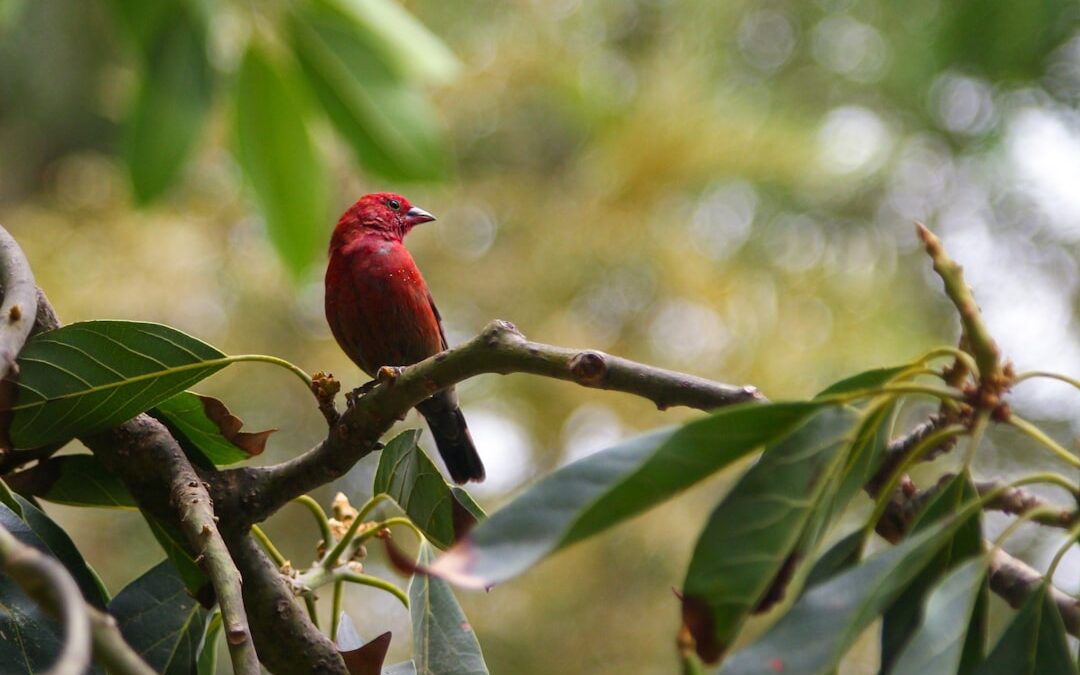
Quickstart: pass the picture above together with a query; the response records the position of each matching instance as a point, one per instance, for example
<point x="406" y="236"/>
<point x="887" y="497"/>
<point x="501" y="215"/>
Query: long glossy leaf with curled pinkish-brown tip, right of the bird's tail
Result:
<point x="589" y="496"/>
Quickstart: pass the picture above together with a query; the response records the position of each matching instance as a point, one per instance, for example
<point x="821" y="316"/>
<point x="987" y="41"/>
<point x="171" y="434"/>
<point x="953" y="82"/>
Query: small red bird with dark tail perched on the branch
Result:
<point x="382" y="313"/>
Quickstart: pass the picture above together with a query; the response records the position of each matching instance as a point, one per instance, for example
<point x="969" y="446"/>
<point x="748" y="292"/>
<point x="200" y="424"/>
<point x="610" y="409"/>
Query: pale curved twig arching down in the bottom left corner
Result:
<point x="51" y="587"/>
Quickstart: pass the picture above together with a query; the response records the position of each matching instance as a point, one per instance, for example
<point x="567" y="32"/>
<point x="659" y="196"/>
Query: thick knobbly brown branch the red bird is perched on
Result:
<point x="501" y="349"/>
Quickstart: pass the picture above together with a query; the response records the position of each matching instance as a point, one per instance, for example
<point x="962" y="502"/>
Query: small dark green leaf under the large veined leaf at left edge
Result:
<point x="73" y="480"/>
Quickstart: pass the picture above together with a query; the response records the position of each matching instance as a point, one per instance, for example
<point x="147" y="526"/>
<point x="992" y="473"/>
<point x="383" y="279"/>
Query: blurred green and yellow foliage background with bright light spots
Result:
<point x="726" y="188"/>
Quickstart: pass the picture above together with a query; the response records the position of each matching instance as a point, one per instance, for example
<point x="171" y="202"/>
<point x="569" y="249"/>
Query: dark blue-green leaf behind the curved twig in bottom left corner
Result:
<point x="30" y="641"/>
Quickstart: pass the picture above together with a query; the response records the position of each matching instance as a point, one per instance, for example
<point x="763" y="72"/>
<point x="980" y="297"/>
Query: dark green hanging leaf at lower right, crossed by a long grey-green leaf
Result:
<point x="902" y="618"/>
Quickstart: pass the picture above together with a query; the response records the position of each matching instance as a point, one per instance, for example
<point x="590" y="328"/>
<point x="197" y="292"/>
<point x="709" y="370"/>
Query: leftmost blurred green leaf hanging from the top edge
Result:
<point x="171" y="106"/>
